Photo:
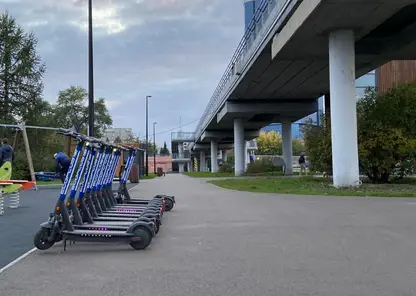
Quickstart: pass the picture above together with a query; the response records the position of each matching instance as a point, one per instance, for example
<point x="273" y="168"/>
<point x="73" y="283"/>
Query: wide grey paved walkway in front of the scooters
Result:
<point x="219" y="242"/>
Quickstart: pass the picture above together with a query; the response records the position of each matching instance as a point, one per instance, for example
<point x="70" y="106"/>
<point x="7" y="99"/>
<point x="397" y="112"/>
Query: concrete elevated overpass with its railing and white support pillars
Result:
<point x="295" y="51"/>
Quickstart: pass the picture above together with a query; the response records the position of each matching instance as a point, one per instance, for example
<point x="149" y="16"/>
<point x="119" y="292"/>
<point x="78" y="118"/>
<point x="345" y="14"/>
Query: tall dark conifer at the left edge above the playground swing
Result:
<point x="21" y="71"/>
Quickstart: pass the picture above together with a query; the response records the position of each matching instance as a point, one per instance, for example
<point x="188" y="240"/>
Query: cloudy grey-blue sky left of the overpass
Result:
<point x="174" y="50"/>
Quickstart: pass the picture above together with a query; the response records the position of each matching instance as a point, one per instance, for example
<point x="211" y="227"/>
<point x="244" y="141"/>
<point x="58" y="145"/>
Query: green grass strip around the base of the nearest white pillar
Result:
<point x="318" y="186"/>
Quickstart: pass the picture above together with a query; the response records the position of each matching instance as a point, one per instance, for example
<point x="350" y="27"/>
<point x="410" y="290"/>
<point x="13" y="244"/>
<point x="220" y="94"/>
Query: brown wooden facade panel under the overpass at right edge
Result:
<point x="394" y="73"/>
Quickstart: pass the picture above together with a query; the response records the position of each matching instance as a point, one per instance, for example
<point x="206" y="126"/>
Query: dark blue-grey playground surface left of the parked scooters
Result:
<point x="18" y="226"/>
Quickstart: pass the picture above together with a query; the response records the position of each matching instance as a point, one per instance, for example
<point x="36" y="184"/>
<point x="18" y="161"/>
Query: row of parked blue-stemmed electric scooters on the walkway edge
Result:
<point x="92" y="211"/>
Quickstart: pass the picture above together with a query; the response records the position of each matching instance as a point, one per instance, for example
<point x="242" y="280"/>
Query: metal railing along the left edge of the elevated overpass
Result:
<point x="263" y="19"/>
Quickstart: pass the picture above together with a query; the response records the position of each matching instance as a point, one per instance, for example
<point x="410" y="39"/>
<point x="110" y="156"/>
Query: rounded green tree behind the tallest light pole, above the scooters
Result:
<point x="71" y="110"/>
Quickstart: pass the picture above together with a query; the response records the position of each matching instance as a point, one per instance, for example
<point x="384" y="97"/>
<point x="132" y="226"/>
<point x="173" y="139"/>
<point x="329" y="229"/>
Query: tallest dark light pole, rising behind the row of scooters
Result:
<point x="90" y="73"/>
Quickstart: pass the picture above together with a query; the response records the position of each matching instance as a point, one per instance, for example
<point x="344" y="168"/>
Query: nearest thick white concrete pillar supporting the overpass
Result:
<point x="343" y="108"/>
